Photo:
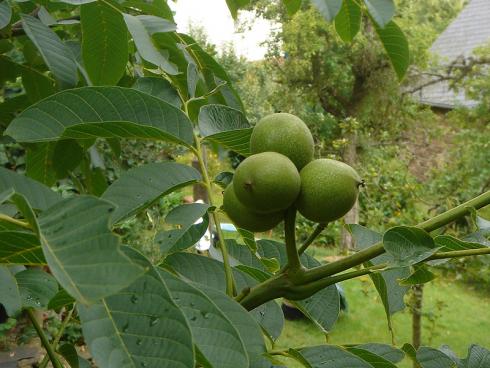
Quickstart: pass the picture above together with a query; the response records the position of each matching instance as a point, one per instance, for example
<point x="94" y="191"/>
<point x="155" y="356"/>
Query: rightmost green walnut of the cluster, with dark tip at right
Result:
<point x="329" y="189"/>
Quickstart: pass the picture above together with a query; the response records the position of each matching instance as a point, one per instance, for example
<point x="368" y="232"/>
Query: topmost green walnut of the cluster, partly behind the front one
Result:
<point x="286" y="134"/>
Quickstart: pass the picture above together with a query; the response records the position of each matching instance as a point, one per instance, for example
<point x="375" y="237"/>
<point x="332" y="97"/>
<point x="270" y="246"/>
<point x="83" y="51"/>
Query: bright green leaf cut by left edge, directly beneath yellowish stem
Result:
<point x="20" y="248"/>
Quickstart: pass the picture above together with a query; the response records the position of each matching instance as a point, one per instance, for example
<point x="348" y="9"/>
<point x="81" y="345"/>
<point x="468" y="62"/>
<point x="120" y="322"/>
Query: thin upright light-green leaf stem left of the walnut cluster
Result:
<point x="230" y="282"/>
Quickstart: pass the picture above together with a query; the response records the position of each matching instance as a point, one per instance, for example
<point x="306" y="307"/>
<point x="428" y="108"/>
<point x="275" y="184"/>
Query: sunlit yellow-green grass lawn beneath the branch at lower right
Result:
<point x="455" y="315"/>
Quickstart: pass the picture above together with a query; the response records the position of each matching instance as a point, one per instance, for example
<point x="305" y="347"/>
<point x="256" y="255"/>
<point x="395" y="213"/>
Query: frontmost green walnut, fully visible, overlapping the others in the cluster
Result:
<point x="267" y="182"/>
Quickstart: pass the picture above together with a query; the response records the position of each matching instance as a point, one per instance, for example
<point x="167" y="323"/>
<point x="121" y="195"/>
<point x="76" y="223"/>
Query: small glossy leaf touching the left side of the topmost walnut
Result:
<point x="225" y="126"/>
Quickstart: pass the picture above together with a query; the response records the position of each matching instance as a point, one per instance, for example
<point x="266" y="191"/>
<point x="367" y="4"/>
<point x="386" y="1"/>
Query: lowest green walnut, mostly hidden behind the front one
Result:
<point x="246" y="219"/>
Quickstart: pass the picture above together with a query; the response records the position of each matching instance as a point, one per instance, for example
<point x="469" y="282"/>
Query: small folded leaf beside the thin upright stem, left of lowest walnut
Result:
<point x="190" y="230"/>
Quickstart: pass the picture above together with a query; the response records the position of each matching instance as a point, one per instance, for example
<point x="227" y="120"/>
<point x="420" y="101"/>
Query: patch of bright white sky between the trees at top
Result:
<point x="215" y="18"/>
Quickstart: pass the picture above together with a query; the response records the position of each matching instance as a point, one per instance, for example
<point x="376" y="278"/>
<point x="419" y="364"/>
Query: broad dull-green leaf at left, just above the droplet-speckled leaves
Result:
<point x="82" y="253"/>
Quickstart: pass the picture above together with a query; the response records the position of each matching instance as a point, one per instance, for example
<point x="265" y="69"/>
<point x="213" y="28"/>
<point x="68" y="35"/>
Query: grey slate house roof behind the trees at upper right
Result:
<point x="469" y="30"/>
